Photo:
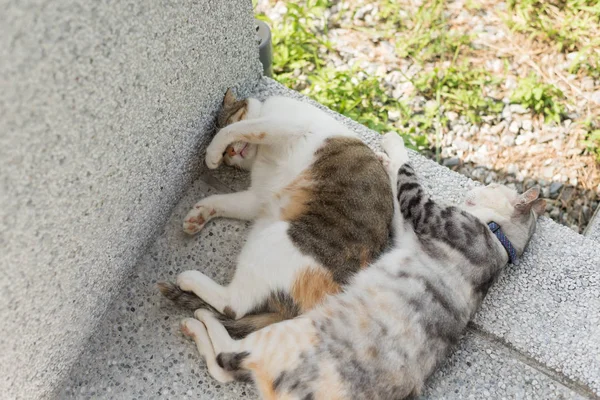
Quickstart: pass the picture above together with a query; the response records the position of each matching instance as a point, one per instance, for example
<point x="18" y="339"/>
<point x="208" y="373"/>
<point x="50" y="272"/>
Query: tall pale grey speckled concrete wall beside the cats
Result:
<point x="103" y="109"/>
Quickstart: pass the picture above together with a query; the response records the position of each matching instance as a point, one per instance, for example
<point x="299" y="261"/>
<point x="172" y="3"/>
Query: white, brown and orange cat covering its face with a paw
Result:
<point x="322" y="207"/>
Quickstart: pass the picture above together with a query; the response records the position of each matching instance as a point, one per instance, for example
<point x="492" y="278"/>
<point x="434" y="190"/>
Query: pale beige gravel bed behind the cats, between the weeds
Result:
<point x="514" y="147"/>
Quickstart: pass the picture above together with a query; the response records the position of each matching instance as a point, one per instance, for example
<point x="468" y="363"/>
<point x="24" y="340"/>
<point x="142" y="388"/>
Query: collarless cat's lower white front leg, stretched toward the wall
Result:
<point x="241" y="205"/>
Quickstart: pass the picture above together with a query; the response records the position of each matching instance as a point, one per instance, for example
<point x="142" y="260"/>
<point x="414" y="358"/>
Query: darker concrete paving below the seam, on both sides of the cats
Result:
<point x="139" y="353"/>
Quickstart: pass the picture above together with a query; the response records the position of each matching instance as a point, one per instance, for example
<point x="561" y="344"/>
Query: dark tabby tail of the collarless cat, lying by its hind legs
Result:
<point x="237" y="328"/>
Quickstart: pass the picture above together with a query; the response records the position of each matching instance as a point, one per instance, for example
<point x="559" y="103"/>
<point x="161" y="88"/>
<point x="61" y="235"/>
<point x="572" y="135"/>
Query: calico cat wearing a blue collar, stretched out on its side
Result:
<point x="396" y="320"/>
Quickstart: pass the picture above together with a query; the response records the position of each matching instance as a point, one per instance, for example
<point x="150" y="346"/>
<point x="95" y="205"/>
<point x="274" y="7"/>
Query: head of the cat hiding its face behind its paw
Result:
<point x="239" y="154"/>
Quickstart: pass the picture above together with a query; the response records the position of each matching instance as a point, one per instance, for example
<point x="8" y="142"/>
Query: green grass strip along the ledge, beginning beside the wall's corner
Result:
<point x="299" y="40"/>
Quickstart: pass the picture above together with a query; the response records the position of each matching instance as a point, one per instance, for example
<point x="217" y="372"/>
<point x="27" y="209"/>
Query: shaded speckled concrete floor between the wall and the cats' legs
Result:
<point x="138" y="351"/>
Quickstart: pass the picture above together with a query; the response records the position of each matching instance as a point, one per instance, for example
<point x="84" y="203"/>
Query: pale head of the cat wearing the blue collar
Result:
<point x="515" y="213"/>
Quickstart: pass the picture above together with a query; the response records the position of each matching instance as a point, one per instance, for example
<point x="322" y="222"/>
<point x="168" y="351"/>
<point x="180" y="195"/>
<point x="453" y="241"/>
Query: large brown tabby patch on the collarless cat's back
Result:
<point x="341" y="213"/>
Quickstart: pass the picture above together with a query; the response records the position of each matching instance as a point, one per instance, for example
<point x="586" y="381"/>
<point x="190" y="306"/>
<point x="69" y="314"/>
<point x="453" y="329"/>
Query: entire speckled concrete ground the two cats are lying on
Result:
<point x="537" y="335"/>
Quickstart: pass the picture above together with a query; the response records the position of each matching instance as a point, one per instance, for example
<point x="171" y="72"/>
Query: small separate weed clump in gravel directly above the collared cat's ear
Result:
<point x="539" y="97"/>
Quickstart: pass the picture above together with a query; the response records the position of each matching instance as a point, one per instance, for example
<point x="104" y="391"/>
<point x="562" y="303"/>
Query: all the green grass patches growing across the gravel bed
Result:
<point x="425" y="36"/>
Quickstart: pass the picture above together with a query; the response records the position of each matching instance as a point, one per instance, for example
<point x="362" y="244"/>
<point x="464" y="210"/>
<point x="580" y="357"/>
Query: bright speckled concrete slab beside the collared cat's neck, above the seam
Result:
<point x="549" y="306"/>
